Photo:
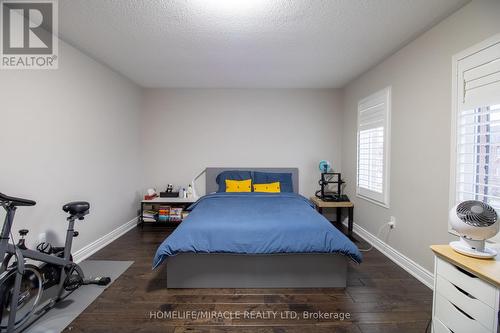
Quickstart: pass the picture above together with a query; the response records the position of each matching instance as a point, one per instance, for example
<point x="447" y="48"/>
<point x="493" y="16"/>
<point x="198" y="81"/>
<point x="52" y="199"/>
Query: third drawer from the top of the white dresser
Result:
<point x="454" y="319"/>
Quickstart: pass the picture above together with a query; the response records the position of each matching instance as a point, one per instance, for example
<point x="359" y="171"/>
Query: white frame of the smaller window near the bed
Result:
<point x="381" y="199"/>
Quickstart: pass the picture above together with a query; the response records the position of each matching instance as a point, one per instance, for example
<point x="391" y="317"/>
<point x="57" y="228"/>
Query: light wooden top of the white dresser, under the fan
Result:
<point x="486" y="269"/>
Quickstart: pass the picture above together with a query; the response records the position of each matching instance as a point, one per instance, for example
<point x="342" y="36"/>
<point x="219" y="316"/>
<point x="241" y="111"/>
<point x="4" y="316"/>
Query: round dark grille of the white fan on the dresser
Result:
<point x="476" y="213"/>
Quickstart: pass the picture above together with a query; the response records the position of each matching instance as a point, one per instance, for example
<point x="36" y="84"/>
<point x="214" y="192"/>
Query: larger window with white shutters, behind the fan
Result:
<point x="476" y="125"/>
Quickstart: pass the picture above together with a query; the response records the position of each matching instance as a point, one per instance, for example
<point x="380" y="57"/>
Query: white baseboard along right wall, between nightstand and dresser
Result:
<point x="420" y="273"/>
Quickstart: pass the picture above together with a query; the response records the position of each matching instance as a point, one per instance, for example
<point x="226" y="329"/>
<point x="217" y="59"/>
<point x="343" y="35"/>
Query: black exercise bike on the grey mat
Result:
<point x="27" y="291"/>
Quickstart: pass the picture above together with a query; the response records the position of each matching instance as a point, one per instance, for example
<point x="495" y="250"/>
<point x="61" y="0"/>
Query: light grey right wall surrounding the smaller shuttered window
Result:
<point x="420" y="76"/>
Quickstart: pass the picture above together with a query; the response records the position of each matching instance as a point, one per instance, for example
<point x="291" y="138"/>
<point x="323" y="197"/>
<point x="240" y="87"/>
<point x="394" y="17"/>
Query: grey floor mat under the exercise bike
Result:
<point x="68" y="309"/>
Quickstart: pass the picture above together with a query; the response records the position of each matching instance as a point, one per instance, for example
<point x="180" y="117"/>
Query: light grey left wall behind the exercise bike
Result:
<point x="70" y="134"/>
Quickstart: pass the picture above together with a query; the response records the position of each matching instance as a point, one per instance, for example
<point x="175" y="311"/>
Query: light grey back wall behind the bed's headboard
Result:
<point x="186" y="130"/>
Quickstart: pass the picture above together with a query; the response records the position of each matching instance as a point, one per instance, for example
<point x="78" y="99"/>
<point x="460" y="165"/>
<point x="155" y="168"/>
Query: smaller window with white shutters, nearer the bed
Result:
<point x="373" y="147"/>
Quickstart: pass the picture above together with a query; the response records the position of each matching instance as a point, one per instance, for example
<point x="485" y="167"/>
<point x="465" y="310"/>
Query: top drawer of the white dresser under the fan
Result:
<point x="468" y="282"/>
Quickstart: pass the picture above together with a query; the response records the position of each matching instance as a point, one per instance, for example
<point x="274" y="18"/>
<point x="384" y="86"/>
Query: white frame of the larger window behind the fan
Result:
<point x="456" y="96"/>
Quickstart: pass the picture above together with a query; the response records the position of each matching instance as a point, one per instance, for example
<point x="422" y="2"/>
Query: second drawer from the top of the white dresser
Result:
<point x="470" y="305"/>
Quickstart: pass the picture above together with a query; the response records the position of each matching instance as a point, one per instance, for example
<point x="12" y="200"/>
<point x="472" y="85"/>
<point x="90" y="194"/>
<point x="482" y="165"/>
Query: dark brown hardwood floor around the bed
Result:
<point x="380" y="297"/>
